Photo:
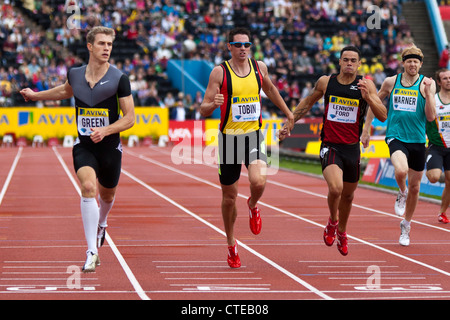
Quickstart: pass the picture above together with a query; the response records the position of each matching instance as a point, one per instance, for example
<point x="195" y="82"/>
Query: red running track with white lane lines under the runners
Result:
<point x="166" y="241"/>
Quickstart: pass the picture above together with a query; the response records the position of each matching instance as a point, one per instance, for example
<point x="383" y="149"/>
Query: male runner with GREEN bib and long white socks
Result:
<point x="100" y="92"/>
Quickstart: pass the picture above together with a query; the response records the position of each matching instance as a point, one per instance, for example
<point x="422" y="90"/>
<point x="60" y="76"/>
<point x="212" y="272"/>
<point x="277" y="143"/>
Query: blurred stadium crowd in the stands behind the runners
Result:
<point x="298" y="40"/>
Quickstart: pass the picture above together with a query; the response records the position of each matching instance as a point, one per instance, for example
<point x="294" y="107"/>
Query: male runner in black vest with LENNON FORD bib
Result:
<point x="346" y="99"/>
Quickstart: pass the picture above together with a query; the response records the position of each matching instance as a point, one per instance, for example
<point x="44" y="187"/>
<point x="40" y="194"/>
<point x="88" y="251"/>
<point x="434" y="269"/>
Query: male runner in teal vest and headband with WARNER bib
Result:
<point x="411" y="104"/>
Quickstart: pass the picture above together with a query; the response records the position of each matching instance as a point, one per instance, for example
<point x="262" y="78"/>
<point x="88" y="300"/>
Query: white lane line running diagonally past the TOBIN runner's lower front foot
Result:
<point x="262" y="257"/>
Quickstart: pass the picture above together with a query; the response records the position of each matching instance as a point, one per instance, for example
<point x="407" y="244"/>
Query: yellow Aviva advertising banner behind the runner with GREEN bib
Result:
<point x="59" y="122"/>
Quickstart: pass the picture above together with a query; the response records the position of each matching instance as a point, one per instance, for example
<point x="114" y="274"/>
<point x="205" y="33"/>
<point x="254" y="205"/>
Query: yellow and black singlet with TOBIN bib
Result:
<point x="241" y="111"/>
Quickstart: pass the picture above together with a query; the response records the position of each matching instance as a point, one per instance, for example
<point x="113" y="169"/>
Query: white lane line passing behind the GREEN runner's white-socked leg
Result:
<point x="137" y="287"/>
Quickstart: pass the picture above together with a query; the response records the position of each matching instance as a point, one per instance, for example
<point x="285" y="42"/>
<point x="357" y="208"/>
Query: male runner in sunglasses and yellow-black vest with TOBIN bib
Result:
<point x="235" y="87"/>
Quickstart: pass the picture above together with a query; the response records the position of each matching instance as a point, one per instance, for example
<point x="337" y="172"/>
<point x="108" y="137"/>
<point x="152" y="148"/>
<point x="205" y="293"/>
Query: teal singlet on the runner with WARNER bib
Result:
<point x="406" y="116"/>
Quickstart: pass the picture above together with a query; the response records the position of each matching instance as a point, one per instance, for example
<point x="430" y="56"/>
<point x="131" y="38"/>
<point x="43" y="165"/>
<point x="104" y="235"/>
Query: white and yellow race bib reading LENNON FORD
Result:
<point x="343" y="110"/>
